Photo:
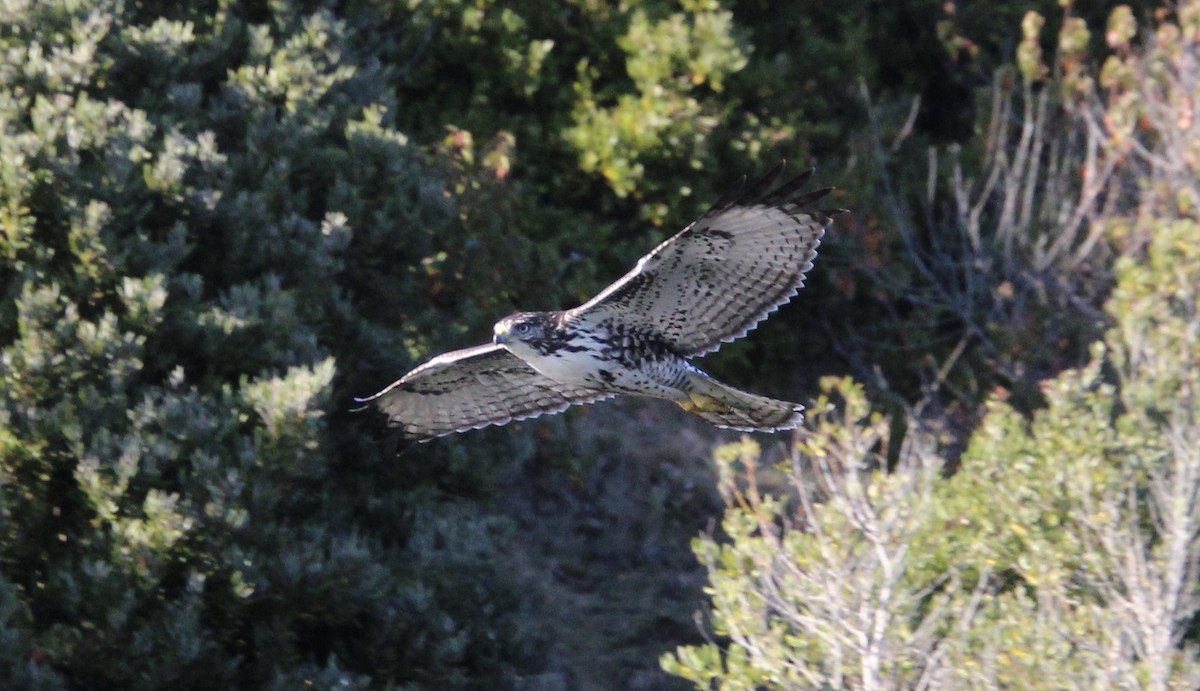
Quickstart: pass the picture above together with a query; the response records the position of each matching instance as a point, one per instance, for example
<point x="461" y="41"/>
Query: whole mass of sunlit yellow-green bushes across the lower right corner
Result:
<point x="1064" y="554"/>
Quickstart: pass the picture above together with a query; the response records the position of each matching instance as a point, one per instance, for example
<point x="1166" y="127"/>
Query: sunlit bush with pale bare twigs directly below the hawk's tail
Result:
<point x="824" y="590"/>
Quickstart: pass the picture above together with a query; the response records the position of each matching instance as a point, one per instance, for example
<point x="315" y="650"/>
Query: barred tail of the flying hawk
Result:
<point x="728" y="407"/>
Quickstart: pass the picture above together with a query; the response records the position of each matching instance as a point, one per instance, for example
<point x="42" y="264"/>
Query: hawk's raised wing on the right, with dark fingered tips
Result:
<point x="724" y="274"/>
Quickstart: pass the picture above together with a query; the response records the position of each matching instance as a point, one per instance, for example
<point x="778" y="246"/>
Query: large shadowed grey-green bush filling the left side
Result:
<point x="182" y="200"/>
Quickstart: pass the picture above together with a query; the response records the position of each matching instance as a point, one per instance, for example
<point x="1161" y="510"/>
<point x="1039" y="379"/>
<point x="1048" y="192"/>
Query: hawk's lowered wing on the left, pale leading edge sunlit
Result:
<point x="470" y="389"/>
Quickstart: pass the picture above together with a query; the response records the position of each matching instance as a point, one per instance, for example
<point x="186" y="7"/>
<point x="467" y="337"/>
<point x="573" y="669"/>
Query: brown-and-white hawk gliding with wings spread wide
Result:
<point x="707" y="286"/>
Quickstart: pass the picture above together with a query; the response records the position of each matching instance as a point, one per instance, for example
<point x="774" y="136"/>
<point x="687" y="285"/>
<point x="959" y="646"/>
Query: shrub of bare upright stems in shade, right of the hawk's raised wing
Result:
<point x="986" y="262"/>
